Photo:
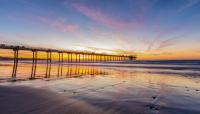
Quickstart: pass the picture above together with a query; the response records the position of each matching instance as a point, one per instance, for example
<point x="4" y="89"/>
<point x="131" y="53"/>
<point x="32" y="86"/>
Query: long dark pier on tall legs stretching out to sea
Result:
<point x="71" y="56"/>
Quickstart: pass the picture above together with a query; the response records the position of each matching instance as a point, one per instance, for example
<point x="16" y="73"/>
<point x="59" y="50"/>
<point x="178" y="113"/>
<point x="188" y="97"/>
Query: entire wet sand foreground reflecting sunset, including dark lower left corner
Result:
<point x="121" y="91"/>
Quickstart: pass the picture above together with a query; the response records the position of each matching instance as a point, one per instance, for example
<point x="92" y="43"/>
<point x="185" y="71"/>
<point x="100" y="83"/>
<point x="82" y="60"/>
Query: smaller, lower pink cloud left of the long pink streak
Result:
<point x="59" y="24"/>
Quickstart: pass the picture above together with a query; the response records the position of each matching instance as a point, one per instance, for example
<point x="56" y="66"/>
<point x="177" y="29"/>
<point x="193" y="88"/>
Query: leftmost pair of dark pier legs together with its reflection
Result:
<point x="14" y="73"/>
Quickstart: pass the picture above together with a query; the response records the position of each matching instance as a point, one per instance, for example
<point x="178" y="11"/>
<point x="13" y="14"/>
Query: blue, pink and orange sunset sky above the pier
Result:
<point x="151" y="29"/>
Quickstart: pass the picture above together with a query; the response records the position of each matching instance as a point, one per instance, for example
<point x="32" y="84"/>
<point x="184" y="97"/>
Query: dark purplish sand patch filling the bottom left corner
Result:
<point x="26" y="100"/>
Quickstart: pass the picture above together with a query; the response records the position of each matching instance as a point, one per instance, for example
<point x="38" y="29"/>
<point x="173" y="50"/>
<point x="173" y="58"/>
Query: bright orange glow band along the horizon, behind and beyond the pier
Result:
<point x="141" y="55"/>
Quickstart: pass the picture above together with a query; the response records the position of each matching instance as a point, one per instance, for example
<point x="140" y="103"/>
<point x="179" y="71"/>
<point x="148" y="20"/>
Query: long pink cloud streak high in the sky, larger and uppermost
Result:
<point x="99" y="16"/>
